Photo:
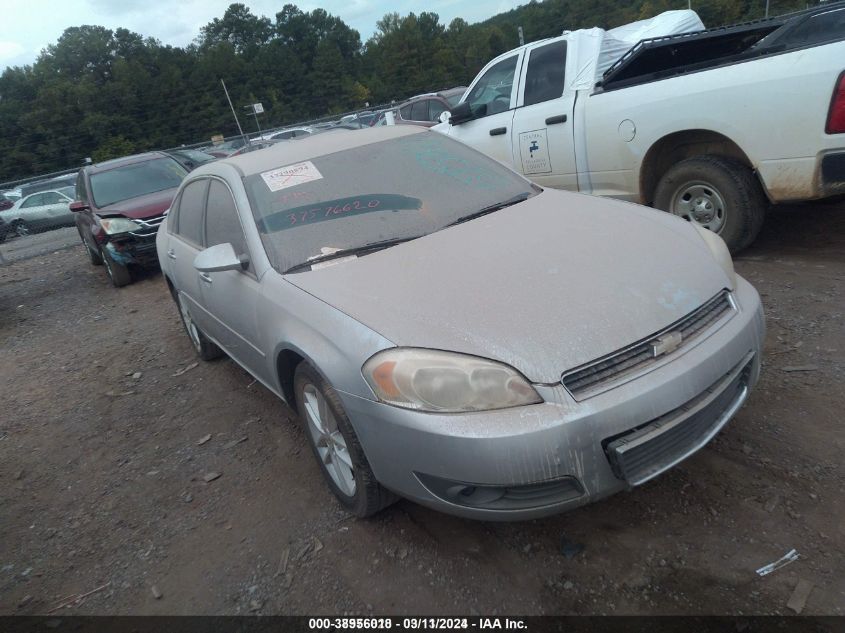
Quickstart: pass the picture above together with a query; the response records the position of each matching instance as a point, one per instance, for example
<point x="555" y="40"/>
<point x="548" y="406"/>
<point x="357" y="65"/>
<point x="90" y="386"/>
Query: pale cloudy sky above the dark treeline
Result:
<point x="30" y="25"/>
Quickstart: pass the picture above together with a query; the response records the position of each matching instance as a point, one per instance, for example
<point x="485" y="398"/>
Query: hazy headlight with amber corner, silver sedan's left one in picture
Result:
<point x="430" y="380"/>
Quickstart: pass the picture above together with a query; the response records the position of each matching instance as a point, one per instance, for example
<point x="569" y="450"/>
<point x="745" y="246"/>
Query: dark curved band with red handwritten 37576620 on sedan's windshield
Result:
<point x="342" y="207"/>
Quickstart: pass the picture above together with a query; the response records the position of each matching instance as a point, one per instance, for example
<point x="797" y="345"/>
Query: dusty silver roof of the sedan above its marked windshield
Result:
<point x="307" y="148"/>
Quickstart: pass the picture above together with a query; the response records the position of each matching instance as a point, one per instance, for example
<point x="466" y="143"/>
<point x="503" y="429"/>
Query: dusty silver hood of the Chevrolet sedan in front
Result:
<point x="544" y="286"/>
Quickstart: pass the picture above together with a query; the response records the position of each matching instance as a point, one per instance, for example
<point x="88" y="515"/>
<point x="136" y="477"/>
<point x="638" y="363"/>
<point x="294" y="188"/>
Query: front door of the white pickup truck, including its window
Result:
<point x="493" y="93"/>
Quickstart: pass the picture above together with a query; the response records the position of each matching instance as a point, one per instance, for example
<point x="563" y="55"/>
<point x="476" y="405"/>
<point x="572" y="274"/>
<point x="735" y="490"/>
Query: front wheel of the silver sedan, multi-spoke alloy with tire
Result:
<point x="335" y="445"/>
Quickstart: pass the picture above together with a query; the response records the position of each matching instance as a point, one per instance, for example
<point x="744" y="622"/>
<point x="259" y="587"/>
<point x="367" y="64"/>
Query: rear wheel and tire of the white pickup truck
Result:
<point x="717" y="193"/>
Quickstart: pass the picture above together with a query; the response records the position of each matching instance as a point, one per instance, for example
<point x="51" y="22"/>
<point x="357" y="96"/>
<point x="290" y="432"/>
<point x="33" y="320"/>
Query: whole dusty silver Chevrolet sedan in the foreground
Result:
<point x="449" y="332"/>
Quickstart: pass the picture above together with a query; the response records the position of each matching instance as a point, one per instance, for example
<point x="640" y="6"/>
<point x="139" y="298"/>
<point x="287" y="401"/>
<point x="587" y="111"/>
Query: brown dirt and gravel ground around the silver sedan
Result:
<point x="102" y="475"/>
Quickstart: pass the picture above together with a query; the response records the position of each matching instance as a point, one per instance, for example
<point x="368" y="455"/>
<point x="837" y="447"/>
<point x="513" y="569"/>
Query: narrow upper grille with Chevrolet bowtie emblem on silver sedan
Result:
<point x="597" y="375"/>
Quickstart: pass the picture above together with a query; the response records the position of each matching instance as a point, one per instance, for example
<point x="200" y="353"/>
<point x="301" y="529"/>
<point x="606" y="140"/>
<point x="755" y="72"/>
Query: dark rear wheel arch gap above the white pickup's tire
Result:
<point x="678" y="146"/>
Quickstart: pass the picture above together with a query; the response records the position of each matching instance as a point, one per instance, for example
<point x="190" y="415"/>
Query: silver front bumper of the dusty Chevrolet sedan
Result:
<point x="538" y="460"/>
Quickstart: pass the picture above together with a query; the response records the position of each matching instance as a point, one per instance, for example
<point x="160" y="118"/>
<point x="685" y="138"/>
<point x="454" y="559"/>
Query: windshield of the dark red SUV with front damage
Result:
<point x="136" y="179"/>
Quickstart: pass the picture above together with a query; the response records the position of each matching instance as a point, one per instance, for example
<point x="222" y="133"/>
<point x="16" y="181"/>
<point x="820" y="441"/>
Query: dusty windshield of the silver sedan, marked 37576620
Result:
<point x="396" y="189"/>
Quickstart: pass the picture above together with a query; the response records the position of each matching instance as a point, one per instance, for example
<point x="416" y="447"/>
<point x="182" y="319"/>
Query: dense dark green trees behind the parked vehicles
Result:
<point x="100" y="93"/>
